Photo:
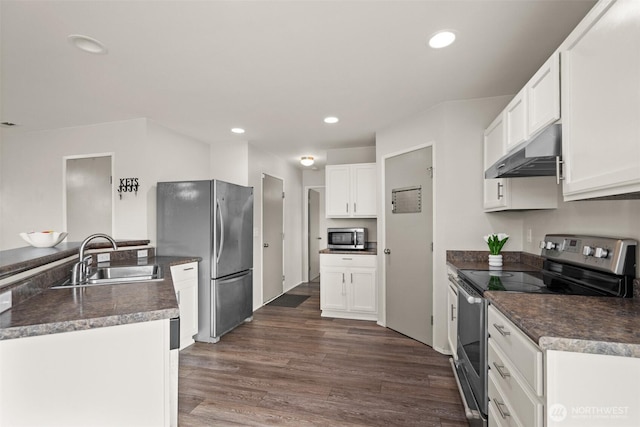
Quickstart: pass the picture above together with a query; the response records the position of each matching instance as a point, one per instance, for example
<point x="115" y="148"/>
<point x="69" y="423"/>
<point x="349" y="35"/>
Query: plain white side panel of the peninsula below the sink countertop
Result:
<point x="110" y="376"/>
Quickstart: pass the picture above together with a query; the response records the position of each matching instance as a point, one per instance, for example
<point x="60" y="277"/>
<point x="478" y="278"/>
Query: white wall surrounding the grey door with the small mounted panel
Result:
<point x="456" y="131"/>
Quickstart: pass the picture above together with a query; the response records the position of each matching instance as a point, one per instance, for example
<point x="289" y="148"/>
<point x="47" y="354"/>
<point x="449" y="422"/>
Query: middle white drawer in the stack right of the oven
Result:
<point x="521" y="399"/>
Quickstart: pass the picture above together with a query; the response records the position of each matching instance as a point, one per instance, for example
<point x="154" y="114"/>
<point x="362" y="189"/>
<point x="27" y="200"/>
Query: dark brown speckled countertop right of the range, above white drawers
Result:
<point x="598" y="325"/>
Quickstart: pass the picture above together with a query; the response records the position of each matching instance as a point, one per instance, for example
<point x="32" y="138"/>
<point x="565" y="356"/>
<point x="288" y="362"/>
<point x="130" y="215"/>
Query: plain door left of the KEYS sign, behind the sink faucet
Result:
<point x="88" y="192"/>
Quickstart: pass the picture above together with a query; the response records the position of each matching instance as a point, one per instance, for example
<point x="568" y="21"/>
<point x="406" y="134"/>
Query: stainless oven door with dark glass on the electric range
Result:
<point x="472" y="348"/>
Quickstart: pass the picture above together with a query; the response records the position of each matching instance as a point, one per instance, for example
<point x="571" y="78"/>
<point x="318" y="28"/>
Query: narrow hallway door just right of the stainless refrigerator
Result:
<point x="272" y="237"/>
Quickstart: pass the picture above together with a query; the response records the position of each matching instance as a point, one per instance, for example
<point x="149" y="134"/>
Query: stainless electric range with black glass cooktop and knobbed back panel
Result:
<point x="573" y="265"/>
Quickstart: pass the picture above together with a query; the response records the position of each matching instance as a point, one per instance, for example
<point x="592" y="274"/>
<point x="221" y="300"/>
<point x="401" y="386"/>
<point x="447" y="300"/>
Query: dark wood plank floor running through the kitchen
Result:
<point x="290" y="367"/>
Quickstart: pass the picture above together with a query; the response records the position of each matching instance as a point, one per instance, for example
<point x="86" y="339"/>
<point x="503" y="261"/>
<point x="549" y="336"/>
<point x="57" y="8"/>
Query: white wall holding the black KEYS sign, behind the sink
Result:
<point x="32" y="173"/>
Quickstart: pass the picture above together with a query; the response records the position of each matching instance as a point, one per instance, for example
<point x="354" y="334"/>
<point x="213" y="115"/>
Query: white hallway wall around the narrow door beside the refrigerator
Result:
<point x="262" y="162"/>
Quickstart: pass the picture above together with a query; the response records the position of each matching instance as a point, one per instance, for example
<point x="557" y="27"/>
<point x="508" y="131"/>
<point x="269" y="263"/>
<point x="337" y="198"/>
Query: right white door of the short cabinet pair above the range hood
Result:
<point x="543" y="95"/>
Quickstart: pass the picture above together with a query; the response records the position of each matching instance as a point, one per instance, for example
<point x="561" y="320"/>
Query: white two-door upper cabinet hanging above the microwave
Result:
<point x="351" y="191"/>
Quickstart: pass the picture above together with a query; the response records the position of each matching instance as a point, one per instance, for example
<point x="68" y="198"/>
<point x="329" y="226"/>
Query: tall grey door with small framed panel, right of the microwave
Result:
<point x="408" y="239"/>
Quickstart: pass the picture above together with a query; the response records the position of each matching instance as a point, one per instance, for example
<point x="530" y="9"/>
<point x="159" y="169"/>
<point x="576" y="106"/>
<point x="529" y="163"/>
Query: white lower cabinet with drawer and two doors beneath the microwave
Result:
<point x="348" y="286"/>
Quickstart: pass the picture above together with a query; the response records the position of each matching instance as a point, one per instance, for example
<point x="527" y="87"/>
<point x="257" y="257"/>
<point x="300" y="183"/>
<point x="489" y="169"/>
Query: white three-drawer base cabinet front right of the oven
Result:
<point x="516" y="392"/>
